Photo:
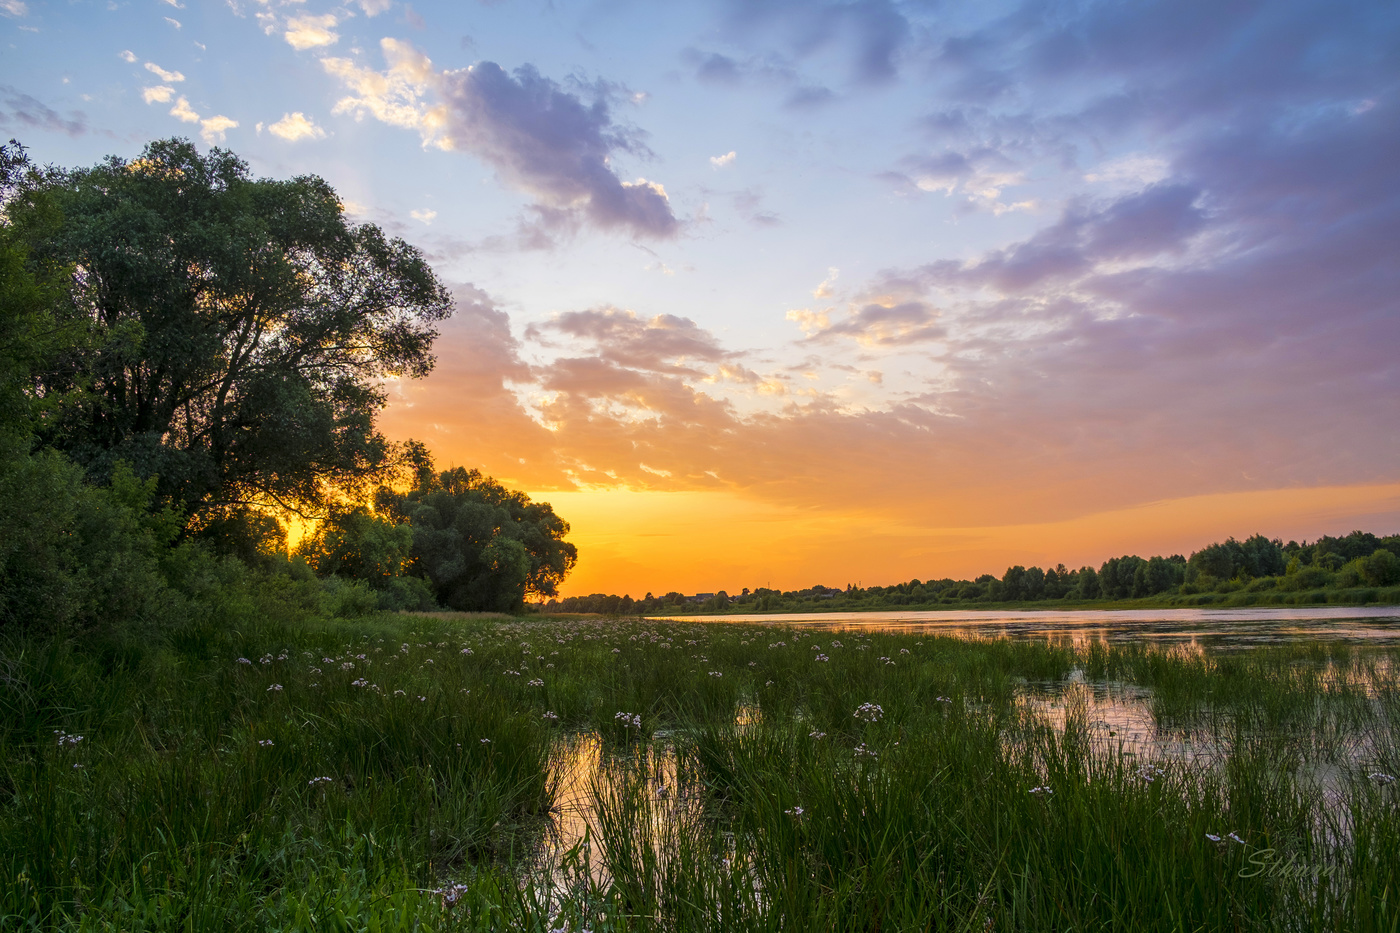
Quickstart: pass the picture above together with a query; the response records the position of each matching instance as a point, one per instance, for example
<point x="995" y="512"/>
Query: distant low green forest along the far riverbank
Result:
<point x="1357" y="568"/>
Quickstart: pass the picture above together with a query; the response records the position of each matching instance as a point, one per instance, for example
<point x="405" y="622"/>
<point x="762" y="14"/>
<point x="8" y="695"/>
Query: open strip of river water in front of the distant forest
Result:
<point x="1191" y="628"/>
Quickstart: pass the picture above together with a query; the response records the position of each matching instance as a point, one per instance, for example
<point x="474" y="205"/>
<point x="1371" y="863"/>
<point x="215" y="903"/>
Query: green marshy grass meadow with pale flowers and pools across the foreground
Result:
<point x="407" y="773"/>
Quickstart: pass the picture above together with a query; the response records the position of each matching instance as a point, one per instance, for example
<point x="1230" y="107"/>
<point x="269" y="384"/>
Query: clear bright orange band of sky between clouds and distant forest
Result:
<point x="633" y="543"/>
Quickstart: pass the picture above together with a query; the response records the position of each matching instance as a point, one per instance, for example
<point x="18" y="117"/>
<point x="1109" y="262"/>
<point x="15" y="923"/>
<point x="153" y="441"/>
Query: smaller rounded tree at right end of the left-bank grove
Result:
<point x="482" y="547"/>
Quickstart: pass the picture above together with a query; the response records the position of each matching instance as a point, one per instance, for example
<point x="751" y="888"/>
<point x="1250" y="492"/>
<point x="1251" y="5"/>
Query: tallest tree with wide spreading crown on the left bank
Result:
<point x="239" y="330"/>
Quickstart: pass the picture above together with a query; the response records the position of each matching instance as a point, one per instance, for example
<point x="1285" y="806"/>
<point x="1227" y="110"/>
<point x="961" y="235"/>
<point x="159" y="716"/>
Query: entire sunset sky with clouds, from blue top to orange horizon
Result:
<point x="778" y="292"/>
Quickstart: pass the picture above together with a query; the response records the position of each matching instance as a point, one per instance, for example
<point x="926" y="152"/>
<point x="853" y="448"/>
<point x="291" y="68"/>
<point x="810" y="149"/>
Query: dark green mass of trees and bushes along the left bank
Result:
<point x="190" y="358"/>
